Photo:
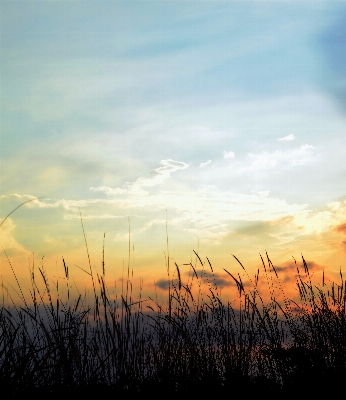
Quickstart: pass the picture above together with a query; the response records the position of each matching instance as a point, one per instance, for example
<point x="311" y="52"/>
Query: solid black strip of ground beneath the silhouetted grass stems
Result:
<point x="301" y="386"/>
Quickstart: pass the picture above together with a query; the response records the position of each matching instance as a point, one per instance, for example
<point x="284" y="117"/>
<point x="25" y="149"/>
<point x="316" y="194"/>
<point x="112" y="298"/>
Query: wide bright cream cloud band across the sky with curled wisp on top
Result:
<point x="209" y="212"/>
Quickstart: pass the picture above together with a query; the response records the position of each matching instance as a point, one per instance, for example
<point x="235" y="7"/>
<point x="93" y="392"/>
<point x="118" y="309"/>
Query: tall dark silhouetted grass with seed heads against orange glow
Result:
<point x="193" y="342"/>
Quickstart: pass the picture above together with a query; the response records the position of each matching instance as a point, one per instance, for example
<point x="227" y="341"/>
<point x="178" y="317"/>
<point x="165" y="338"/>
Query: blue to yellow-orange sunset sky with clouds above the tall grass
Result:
<point x="214" y="126"/>
